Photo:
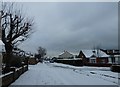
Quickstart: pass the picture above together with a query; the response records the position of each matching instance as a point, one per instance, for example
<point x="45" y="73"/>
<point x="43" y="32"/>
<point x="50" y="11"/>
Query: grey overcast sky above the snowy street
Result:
<point x="72" y="26"/>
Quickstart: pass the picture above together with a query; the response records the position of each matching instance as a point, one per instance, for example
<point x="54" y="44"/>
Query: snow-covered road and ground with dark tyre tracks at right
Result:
<point x="61" y="74"/>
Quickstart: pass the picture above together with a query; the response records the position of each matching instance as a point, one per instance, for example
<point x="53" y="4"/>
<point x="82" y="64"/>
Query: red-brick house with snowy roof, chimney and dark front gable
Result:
<point x="93" y="56"/>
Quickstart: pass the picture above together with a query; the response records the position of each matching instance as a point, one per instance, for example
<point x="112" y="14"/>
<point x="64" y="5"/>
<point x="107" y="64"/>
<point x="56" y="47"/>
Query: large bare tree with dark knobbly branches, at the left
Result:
<point x="15" y="27"/>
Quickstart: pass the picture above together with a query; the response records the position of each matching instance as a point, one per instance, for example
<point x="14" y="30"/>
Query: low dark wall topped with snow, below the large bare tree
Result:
<point x="9" y="78"/>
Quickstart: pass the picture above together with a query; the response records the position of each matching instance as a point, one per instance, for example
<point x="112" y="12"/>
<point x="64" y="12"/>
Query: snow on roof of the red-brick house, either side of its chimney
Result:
<point x="89" y="53"/>
